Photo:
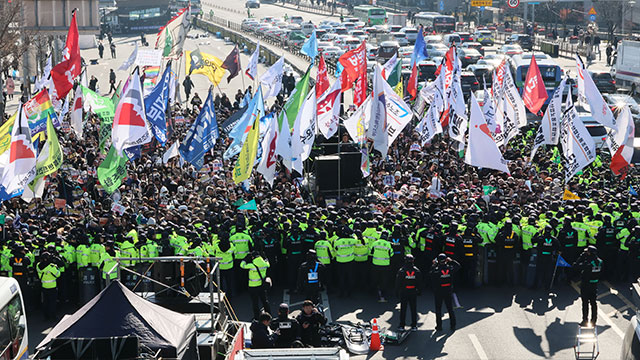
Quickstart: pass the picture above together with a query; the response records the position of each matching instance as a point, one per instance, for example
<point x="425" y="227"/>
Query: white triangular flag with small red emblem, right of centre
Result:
<point x="482" y="150"/>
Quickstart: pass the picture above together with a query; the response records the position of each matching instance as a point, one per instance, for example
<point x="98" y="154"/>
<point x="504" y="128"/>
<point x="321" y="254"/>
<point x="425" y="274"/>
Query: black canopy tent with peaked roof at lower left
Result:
<point x="113" y="319"/>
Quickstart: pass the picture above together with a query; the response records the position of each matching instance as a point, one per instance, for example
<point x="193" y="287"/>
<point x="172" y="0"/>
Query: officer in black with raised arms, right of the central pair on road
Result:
<point x="442" y="272"/>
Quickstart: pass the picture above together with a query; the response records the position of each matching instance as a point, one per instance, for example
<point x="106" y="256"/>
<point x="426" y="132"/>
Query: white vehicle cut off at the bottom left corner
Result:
<point x="13" y="321"/>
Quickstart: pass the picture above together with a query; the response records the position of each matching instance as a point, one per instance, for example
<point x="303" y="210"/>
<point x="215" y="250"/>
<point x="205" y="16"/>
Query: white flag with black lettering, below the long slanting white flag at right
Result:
<point x="578" y="147"/>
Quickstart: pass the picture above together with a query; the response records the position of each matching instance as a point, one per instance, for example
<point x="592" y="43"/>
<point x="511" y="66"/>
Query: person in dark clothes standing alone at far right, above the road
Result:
<point x="590" y="266"/>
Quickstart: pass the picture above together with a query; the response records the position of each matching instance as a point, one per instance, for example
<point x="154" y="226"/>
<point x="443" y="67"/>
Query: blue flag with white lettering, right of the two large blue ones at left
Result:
<point x="201" y="136"/>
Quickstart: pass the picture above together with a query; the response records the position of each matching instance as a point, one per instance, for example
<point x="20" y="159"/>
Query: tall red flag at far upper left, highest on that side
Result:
<point x="64" y="74"/>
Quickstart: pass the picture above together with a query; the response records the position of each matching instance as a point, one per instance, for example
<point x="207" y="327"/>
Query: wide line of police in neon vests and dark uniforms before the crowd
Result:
<point x="495" y="248"/>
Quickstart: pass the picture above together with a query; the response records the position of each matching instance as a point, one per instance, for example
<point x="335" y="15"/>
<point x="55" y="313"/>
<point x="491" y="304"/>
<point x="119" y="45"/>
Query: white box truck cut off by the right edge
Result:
<point x="626" y="70"/>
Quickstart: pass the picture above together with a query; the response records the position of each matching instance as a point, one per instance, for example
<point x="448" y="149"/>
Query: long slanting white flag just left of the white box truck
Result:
<point x="591" y="98"/>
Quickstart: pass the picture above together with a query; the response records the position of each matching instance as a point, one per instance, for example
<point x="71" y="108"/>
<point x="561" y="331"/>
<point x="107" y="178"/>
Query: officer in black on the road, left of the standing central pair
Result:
<point x="408" y="287"/>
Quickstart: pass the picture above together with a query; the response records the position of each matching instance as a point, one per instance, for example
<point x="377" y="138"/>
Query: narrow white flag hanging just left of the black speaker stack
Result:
<point x="304" y="131"/>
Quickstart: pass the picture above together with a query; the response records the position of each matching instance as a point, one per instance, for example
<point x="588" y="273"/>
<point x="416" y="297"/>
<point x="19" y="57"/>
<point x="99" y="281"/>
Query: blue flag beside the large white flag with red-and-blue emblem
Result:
<point x="156" y="106"/>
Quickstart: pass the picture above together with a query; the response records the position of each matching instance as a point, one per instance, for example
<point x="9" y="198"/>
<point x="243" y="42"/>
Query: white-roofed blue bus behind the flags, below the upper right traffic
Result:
<point x="550" y="71"/>
